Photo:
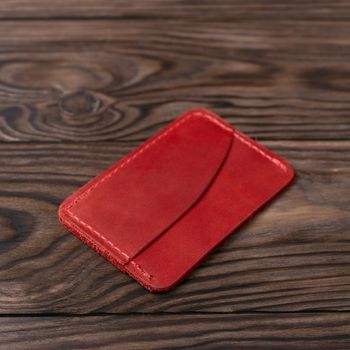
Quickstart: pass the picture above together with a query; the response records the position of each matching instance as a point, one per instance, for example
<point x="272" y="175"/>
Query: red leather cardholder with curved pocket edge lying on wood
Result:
<point x="160" y="210"/>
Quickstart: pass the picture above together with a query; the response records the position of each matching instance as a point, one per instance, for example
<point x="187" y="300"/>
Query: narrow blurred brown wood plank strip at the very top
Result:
<point x="196" y="10"/>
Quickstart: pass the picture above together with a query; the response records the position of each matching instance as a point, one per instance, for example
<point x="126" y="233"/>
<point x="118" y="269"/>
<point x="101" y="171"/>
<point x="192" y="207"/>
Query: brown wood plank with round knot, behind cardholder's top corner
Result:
<point x="119" y="80"/>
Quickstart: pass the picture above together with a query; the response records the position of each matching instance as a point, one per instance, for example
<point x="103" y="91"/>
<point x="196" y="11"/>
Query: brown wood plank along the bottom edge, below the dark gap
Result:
<point x="251" y="331"/>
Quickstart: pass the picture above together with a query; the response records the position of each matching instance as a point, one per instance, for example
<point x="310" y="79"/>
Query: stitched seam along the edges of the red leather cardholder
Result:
<point x="137" y="154"/>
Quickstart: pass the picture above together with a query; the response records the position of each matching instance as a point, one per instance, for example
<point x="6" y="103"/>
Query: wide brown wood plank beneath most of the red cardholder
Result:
<point x="294" y="256"/>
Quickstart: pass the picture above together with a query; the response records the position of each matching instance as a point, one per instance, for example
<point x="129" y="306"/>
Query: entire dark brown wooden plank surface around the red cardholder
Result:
<point x="84" y="82"/>
